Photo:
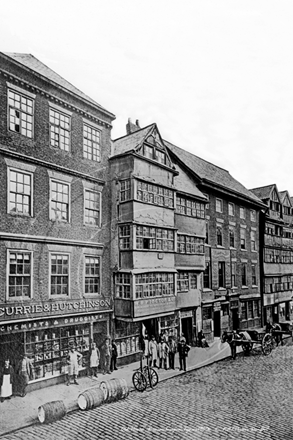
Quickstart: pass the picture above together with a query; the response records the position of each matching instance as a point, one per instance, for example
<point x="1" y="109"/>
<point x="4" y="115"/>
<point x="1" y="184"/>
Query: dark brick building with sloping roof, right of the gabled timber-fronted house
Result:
<point x="231" y="296"/>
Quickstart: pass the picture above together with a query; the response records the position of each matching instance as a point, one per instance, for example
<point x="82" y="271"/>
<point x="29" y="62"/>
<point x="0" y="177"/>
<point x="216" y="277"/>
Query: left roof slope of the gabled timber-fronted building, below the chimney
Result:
<point x="132" y="141"/>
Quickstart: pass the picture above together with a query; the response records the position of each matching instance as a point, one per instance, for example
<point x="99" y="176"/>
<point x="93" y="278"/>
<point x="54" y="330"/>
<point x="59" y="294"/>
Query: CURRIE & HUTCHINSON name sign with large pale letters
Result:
<point x="48" y="308"/>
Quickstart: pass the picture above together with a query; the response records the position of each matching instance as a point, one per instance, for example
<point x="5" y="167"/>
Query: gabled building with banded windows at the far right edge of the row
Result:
<point x="277" y="254"/>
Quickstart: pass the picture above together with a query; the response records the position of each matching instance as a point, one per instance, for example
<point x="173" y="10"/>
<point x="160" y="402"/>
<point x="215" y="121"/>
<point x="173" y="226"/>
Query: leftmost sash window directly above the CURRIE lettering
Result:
<point x="19" y="276"/>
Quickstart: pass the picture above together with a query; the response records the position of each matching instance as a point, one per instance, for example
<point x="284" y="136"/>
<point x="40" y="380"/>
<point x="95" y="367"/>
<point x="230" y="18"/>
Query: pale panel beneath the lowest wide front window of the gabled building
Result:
<point x="151" y="306"/>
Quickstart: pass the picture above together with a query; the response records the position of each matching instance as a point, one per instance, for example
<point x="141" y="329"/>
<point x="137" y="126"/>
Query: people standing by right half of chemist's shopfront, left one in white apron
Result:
<point x="105" y="359"/>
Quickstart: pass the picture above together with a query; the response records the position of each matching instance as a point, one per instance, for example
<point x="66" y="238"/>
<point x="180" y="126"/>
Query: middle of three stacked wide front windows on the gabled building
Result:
<point x="154" y="238"/>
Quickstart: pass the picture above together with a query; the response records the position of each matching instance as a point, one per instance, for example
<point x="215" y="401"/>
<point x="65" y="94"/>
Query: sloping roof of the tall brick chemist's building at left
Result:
<point x="37" y="66"/>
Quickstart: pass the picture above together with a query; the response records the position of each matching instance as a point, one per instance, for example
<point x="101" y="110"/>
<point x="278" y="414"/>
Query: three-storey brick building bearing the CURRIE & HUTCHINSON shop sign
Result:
<point x="55" y="286"/>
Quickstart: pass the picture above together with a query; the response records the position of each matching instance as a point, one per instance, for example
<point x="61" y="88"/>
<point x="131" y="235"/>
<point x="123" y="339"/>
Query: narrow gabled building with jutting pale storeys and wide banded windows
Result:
<point x="158" y="231"/>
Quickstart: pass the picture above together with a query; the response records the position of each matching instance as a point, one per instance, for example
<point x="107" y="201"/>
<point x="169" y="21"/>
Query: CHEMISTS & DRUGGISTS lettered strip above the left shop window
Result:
<point x="49" y="323"/>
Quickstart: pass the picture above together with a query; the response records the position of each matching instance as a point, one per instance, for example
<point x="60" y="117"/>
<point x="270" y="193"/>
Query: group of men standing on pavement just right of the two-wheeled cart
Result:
<point x="160" y="352"/>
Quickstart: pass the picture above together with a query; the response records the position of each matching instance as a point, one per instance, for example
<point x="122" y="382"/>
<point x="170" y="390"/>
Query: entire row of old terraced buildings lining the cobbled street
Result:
<point x="119" y="238"/>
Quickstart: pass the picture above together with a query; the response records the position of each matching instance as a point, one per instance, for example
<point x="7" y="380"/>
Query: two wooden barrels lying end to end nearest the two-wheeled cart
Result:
<point x="108" y="391"/>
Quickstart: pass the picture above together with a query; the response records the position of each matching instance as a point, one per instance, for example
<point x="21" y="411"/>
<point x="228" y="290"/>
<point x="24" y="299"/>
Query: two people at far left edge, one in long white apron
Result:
<point x="13" y="381"/>
